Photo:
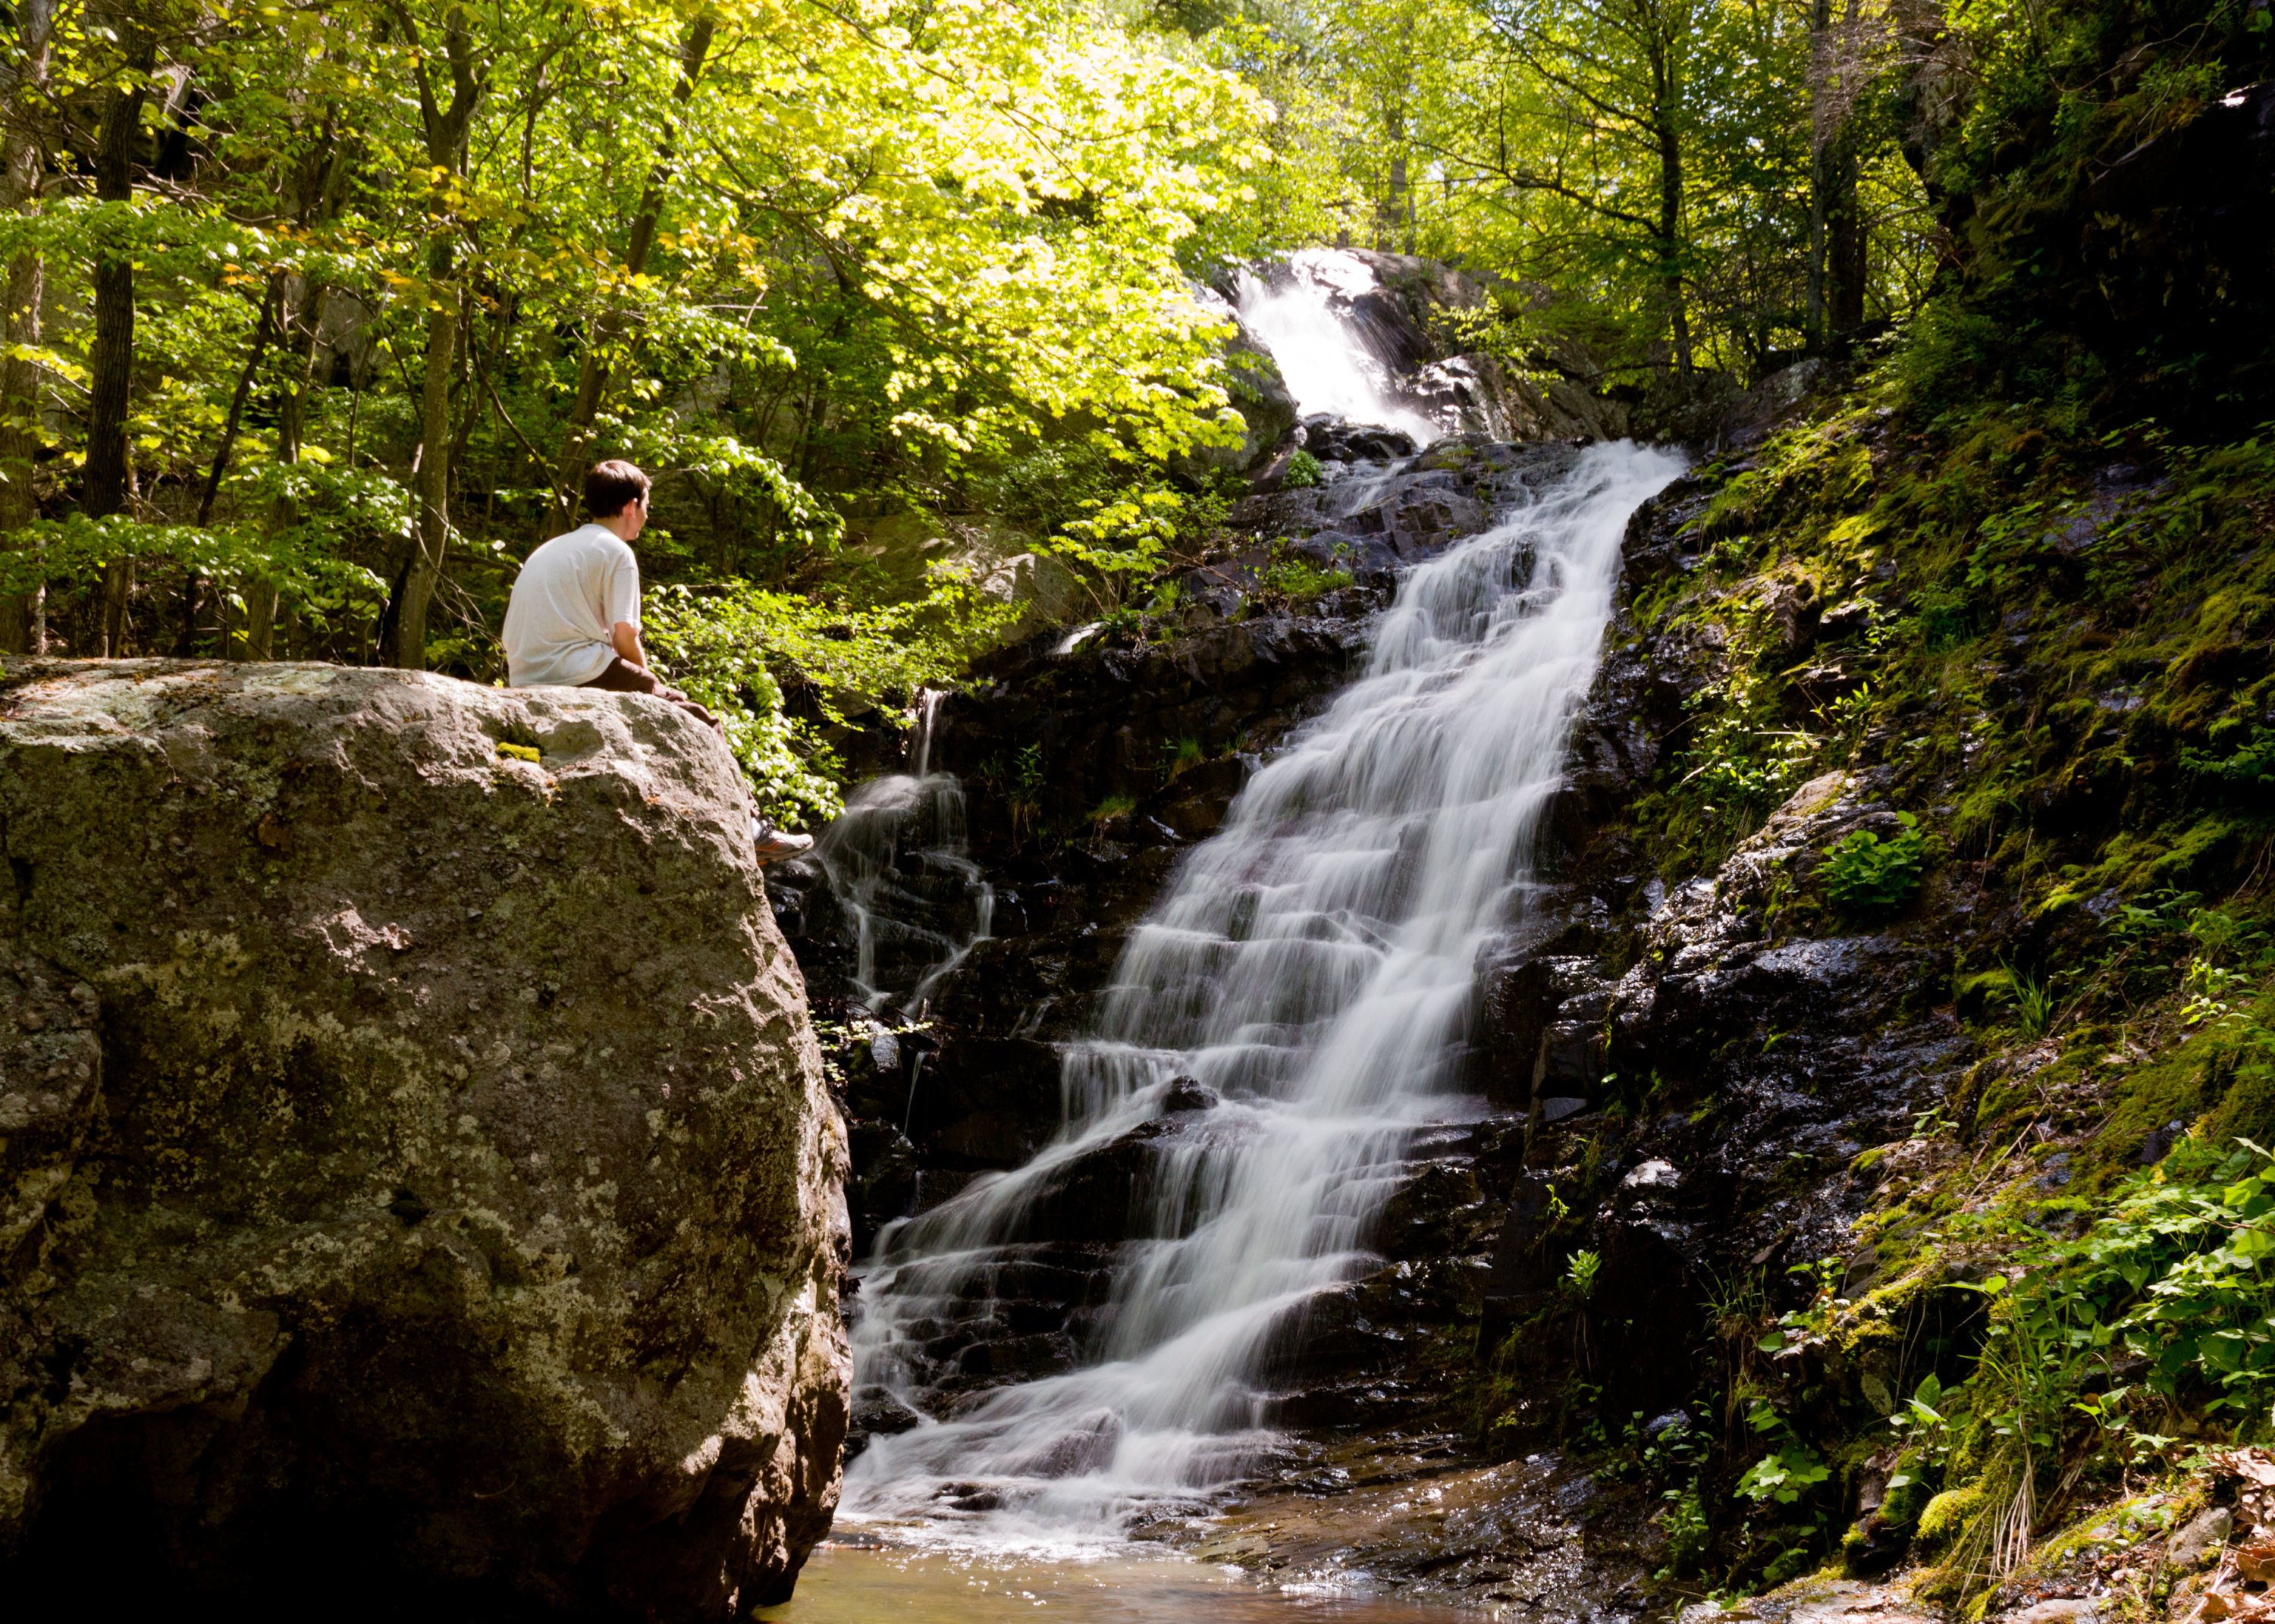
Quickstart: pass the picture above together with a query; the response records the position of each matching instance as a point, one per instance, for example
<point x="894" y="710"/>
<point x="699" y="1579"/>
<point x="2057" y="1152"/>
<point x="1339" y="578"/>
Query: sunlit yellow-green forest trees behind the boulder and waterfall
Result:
<point x="317" y="310"/>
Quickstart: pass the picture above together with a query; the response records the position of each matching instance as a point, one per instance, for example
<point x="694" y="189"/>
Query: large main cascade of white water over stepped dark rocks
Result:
<point x="1312" y="966"/>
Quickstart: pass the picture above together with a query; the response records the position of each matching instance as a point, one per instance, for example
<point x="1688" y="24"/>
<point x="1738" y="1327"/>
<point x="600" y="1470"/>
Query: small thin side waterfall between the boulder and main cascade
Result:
<point x="897" y="865"/>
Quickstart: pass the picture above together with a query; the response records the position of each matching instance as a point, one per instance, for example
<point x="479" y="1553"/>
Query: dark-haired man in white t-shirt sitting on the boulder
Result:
<point x="574" y="618"/>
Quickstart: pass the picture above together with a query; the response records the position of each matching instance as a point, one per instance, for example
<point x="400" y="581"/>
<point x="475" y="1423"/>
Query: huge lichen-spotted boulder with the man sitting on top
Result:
<point x="417" y="1159"/>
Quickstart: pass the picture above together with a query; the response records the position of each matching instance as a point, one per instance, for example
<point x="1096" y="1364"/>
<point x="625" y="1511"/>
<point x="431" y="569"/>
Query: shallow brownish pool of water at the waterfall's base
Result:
<point x="863" y="1584"/>
